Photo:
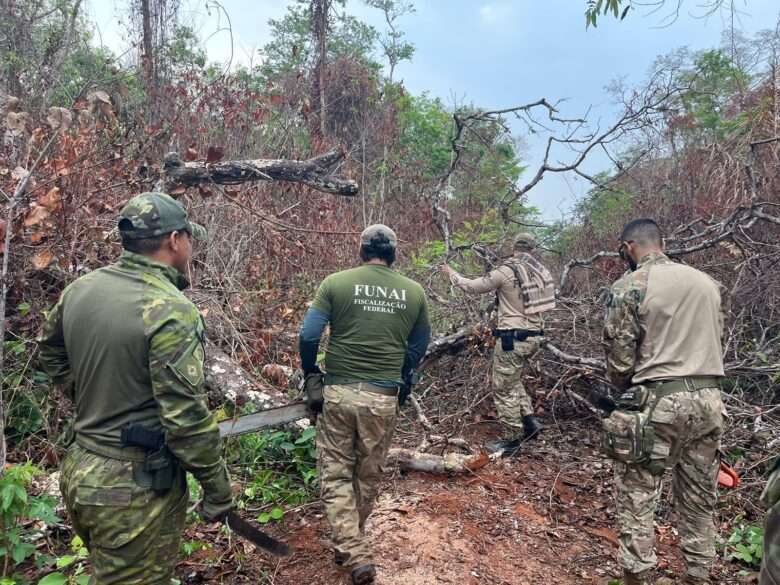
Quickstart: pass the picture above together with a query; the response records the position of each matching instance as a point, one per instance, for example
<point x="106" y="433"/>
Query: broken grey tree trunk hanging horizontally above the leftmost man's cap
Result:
<point x="315" y="172"/>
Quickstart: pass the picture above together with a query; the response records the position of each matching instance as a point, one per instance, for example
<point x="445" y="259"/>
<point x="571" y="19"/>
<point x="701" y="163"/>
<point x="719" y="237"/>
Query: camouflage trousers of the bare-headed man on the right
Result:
<point x="688" y="427"/>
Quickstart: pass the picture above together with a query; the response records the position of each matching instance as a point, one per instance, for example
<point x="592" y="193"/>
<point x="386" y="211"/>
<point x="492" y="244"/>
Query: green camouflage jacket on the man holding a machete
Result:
<point x="127" y="346"/>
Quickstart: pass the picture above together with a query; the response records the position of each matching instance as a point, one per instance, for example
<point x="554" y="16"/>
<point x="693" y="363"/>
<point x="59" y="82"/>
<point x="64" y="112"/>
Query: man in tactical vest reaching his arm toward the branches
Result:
<point x="524" y="290"/>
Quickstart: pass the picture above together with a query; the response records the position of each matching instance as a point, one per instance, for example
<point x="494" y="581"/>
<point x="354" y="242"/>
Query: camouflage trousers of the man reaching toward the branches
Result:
<point x="509" y="393"/>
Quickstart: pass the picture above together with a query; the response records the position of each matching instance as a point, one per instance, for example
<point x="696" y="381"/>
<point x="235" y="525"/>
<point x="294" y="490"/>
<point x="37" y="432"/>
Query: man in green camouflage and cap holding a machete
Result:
<point x="126" y="346"/>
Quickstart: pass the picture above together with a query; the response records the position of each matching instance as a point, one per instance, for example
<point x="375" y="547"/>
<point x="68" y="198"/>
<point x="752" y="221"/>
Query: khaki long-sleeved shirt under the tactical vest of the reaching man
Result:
<point x="511" y="309"/>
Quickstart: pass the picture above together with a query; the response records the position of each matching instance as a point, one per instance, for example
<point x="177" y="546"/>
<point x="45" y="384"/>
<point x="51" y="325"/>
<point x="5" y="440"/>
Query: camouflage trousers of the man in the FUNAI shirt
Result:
<point x="354" y="433"/>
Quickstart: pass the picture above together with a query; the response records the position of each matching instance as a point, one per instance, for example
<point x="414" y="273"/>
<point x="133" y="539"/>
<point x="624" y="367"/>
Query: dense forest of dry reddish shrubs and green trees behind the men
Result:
<point x="693" y="142"/>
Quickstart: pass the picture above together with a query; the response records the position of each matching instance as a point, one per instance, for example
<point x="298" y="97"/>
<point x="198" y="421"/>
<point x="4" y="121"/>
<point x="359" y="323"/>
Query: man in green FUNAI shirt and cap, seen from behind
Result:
<point x="379" y="331"/>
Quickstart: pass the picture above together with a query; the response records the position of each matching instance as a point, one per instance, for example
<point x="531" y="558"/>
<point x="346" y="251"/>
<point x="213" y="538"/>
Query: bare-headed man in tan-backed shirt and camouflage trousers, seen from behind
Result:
<point x="662" y="337"/>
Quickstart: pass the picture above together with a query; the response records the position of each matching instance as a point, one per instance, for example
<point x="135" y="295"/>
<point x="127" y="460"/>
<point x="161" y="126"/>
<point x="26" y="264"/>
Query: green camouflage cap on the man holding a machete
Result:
<point x="153" y="214"/>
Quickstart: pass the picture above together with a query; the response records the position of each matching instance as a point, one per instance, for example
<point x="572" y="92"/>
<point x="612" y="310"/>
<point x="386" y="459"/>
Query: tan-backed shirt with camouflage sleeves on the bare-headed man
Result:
<point x="663" y="321"/>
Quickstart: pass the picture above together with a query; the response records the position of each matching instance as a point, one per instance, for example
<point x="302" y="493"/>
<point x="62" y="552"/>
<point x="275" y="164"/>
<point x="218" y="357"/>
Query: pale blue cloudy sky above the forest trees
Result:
<point x="494" y="54"/>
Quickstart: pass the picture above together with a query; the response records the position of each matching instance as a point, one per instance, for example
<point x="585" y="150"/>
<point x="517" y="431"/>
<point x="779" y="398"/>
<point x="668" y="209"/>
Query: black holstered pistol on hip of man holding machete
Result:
<point x="158" y="470"/>
